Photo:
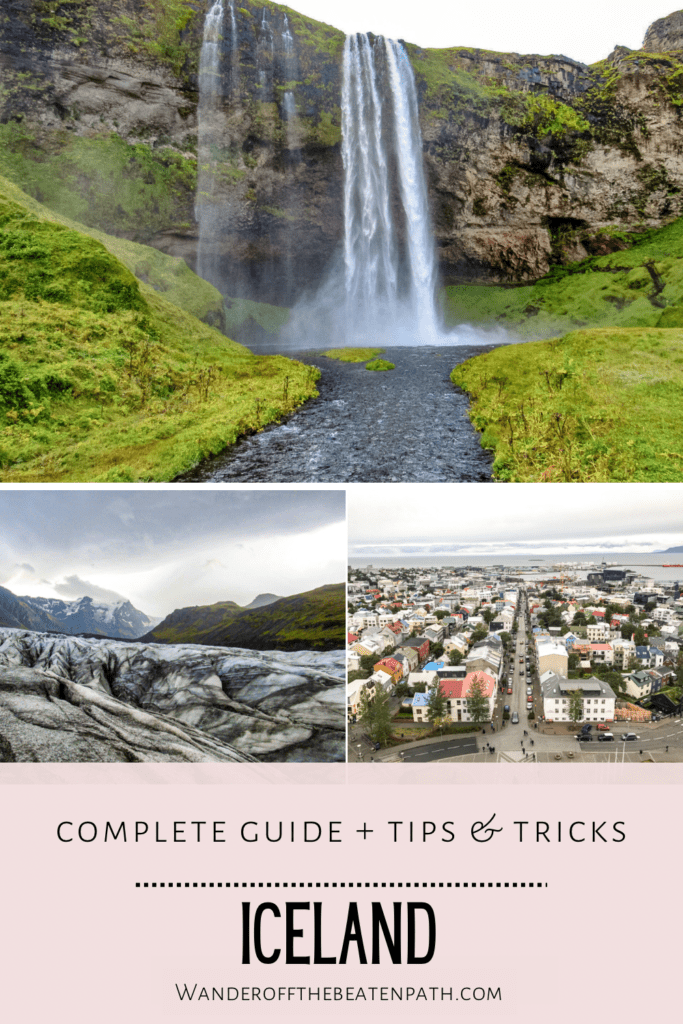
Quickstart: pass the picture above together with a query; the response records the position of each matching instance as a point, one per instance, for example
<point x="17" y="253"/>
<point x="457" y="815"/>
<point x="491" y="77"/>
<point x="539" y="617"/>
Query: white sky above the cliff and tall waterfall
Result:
<point x="584" y="30"/>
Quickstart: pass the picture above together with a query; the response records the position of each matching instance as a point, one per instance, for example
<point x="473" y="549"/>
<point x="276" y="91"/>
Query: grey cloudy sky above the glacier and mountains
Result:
<point x="170" y="549"/>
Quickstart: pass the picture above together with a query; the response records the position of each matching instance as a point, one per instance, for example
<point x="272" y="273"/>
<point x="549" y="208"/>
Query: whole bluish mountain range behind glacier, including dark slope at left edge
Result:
<point x="118" y="620"/>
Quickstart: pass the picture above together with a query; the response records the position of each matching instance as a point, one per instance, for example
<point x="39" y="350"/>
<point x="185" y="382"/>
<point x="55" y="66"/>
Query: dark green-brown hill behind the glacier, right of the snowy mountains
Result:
<point x="315" y="621"/>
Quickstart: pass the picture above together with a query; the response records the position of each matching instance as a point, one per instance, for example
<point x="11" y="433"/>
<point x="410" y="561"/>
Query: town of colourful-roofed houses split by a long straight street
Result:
<point x="515" y="664"/>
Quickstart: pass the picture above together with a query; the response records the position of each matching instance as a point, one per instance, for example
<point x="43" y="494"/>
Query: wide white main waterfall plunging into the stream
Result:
<point x="390" y="281"/>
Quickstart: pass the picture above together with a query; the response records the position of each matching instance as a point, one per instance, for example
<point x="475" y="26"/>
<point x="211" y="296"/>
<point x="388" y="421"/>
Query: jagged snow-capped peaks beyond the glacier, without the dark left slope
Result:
<point x="87" y="615"/>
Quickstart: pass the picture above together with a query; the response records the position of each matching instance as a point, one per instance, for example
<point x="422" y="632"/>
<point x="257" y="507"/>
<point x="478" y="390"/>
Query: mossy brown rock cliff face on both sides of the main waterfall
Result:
<point x="531" y="160"/>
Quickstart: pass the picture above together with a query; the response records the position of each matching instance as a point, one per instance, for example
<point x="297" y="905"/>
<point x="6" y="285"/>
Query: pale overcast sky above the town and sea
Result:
<point x="493" y="519"/>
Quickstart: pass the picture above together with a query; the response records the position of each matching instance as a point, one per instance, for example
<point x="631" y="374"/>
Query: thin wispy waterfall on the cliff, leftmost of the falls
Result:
<point x="208" y="116"/>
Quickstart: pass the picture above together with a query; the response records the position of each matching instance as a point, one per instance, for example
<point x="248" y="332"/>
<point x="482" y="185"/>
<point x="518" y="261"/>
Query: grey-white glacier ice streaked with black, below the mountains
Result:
<point x="68" y="699"/>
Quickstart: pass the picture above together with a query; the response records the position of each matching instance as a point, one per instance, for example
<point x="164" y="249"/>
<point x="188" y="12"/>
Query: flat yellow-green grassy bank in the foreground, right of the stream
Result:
<point x="601" y="405"/>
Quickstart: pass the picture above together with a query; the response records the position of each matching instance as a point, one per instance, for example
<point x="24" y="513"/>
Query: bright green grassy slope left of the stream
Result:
<point x="102" y="378"/>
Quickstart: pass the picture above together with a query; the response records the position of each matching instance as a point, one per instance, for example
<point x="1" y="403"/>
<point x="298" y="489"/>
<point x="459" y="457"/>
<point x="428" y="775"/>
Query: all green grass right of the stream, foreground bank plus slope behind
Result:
<point x="599" y="404"/>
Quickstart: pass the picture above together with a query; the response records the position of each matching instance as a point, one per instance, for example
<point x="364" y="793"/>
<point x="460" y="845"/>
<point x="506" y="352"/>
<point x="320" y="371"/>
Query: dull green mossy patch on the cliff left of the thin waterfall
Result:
<point x="102" y="181"/>
